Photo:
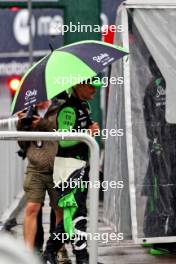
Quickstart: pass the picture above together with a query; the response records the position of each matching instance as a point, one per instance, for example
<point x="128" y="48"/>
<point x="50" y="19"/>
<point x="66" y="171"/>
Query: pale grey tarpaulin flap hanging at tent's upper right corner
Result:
<point x="157" y="28"/>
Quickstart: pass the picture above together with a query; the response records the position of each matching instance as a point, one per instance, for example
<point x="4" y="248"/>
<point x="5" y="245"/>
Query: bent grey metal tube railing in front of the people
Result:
<point x="94" y="170"/>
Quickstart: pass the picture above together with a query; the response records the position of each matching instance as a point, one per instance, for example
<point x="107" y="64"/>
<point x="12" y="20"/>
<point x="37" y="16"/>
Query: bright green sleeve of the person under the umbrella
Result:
<point x="66" y="121"/>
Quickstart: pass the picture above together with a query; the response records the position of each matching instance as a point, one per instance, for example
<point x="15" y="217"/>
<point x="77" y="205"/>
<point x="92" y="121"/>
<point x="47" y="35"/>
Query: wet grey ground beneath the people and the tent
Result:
<point x="108" y="253"/>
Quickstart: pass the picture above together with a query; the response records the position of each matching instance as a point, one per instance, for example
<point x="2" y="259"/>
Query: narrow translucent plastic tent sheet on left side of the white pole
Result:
<point x="116" y="201"/>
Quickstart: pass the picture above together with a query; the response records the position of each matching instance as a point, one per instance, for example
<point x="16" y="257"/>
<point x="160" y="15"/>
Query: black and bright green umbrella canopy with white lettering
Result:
<point x="62" y="69"/>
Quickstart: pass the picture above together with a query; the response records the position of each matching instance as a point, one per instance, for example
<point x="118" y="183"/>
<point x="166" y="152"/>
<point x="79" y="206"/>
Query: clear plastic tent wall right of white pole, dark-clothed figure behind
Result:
<point x="155" y="169"/>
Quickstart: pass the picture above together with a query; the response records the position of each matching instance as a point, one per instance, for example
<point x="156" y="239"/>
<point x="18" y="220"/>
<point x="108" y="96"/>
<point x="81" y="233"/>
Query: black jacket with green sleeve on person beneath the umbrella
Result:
<point x="76" y="114"/>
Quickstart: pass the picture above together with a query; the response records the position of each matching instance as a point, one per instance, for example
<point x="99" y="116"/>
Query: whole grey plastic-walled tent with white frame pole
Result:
<point x="145" y="158"/>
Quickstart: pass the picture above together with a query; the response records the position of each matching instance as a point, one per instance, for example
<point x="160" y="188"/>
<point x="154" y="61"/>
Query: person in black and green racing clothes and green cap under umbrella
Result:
<point x="75" y="113"/>
